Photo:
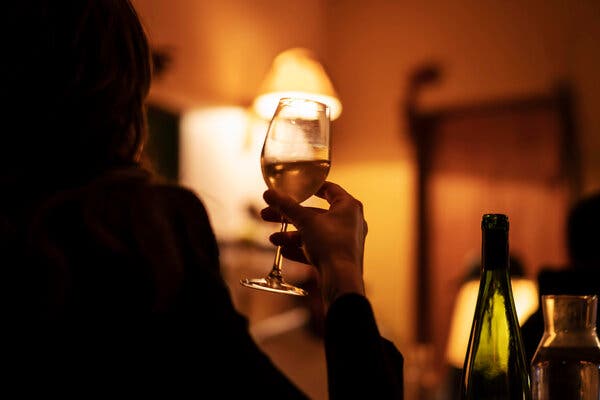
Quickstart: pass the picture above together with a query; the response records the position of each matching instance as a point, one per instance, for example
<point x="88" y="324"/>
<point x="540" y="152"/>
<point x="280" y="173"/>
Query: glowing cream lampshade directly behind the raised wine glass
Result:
<point x="296" y="73"/>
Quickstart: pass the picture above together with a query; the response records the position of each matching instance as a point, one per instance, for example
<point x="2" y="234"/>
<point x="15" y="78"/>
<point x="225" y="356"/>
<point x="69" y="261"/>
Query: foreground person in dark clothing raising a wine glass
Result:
<point x="111" y="277"/>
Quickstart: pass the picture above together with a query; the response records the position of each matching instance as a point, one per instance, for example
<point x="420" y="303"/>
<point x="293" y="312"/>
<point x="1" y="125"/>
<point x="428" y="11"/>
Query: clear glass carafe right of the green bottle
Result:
<point x="566" y="364"/>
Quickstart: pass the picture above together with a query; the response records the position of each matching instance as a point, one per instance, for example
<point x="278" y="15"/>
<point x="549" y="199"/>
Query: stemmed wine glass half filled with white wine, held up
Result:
<point x="295" y="160"/>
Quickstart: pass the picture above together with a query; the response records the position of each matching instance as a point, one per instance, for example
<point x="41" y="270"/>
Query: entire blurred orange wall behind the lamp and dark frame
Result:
<point x="487" y="50"/>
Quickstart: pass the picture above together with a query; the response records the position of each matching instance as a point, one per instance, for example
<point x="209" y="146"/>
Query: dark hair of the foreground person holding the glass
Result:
<point x="79" y="72"/>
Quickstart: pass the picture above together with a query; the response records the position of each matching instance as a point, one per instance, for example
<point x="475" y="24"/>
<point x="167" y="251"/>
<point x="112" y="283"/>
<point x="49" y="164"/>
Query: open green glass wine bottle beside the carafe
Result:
<point x="495" y="366"/>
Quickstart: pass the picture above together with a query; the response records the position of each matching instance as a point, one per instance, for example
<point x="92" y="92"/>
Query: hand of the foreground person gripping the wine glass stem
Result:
<point x="332" y="240"/>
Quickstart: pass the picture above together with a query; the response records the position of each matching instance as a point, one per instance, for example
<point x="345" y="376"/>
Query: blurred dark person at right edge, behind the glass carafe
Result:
<point x="581" y="276"/>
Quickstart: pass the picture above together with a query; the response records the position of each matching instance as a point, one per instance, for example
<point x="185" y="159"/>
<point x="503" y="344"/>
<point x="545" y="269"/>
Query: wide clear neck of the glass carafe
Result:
<point x="566" y="313"/>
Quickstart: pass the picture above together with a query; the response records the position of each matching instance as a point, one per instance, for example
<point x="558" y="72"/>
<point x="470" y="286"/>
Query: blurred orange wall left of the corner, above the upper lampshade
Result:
<point x="222" y="49"/>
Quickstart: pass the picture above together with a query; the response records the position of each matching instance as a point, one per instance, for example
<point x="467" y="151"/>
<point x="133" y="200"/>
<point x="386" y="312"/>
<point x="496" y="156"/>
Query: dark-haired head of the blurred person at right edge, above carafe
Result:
<point x="583" y="232"/>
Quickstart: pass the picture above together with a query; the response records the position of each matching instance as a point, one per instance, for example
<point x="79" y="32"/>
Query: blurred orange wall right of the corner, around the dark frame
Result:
<point x="487" y="50"/>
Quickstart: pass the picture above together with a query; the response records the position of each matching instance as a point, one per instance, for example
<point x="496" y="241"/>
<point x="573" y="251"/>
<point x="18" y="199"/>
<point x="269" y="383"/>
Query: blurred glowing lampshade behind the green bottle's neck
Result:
<point x="525" y="294"/>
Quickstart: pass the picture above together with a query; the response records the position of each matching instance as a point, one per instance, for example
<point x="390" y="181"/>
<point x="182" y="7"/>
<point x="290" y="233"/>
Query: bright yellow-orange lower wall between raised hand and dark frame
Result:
<point x="385" y="189"/>
